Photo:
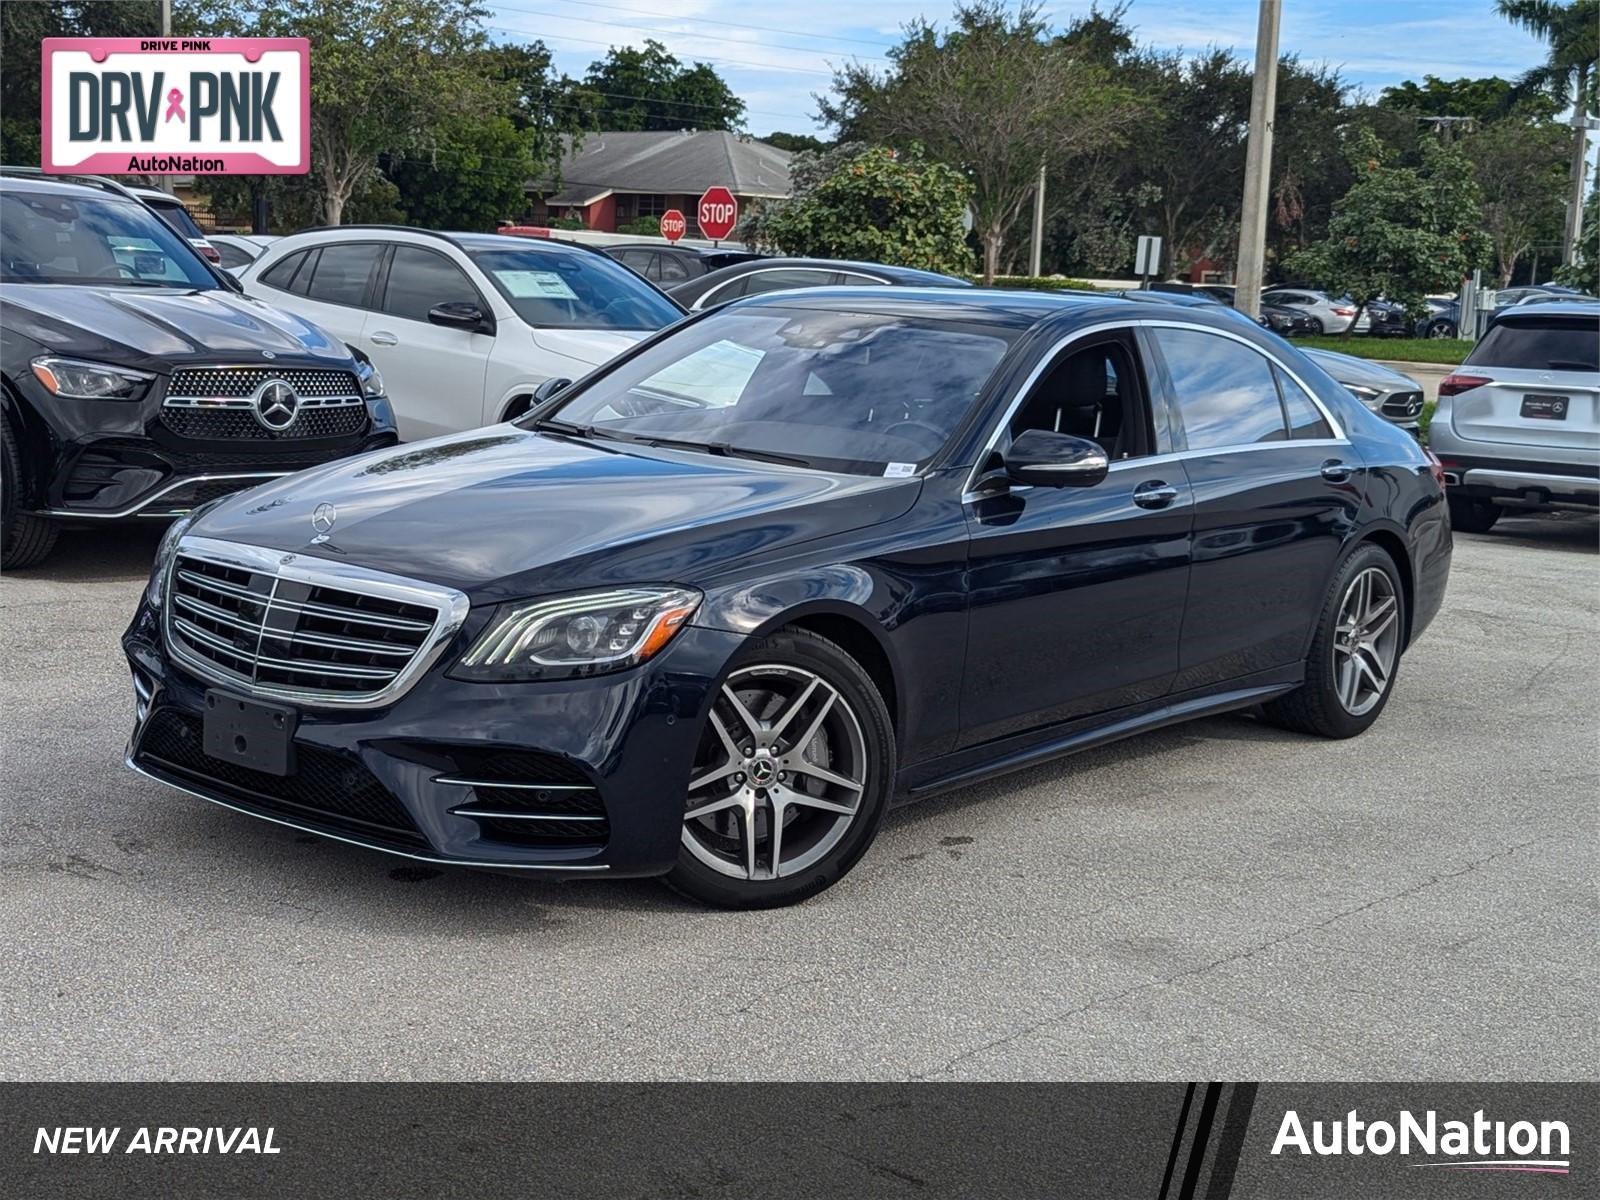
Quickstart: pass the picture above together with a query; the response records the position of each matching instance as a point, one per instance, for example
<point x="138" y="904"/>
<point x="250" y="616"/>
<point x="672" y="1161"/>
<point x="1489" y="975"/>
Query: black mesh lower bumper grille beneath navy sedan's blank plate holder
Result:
<point x="329" y="788"/>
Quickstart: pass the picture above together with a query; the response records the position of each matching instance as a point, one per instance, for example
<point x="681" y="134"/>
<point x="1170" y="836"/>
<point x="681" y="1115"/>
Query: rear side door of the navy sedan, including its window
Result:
<point x="1276" y="494"/>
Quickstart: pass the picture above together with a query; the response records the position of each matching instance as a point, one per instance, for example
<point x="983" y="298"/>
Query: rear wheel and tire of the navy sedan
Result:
<point x="1327" y="705"/>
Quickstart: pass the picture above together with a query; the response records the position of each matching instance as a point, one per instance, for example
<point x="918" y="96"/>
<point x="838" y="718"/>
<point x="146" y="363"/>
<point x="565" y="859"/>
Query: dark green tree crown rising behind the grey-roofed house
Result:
<point x="652" y="90"/>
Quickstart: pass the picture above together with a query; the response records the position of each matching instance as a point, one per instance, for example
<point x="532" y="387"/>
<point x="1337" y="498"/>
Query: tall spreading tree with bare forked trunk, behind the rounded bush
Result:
<point x="998" y="97"/>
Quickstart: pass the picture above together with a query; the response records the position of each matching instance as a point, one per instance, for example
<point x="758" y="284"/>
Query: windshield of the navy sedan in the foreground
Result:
<point x="844" y="391"/>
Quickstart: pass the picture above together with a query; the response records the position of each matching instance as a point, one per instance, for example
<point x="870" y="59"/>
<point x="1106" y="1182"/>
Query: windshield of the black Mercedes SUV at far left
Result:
<point x="57" y="239"/>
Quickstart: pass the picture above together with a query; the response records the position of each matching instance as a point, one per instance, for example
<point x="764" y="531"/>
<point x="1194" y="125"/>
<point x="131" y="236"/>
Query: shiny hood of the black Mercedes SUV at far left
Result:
<point x="161" y="330"/>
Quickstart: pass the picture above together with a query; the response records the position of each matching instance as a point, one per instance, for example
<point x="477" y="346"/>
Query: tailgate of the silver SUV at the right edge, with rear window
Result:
<point x="1542" y="385"/>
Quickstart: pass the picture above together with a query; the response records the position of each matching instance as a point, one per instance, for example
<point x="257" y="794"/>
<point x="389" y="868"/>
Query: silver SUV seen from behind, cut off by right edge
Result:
<point x="1519" y="423"/>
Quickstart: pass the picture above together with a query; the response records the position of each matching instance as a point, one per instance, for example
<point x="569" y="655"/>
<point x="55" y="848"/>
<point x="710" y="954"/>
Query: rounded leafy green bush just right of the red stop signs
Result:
<point x="874" y="206"/>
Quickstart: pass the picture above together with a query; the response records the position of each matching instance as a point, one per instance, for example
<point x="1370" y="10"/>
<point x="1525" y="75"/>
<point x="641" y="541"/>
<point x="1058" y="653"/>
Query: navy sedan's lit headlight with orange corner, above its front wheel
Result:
<point x="582" y="634"/>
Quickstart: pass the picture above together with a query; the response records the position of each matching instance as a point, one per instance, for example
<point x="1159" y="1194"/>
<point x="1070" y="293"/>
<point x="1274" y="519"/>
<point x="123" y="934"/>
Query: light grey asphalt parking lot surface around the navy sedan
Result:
<point x="1217" y="900"/>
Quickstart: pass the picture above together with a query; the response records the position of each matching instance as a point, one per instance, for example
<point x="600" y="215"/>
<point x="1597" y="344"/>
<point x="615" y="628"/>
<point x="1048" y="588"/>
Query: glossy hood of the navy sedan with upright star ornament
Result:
<point x="505" y="513"/>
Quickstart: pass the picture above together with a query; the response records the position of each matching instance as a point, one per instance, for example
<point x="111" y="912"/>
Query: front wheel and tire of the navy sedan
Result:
<point x="820" y="772"/>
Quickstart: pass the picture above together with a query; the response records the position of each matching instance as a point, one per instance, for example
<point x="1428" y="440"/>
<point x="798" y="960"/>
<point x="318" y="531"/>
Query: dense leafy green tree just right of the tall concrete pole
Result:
<point x="1399" y="233"/>
